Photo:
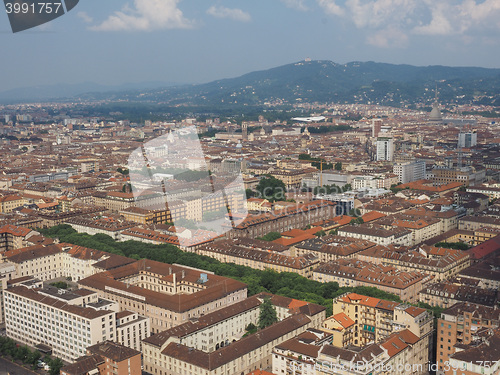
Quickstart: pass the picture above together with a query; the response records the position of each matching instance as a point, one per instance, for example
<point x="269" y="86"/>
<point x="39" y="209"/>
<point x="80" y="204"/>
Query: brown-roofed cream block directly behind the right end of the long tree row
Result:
<point x="354" y="272"/>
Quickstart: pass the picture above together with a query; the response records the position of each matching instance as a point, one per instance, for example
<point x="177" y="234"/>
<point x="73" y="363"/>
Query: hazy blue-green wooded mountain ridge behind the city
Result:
<point x="326" y="81"/>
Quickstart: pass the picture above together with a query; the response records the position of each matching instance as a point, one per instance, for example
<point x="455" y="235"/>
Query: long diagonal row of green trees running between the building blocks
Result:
<point x="285" y="284"/>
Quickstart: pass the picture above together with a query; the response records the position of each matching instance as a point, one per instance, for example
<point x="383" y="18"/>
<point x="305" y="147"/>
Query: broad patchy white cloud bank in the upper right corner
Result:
<point x="421" y="17"/>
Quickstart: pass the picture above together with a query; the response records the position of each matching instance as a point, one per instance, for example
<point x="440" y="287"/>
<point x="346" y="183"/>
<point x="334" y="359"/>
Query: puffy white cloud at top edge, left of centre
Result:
<point x="146" y="15"/>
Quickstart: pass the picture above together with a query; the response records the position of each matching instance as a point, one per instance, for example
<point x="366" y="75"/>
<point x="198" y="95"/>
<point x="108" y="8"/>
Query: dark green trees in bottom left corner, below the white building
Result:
<point x="24" y="354"/>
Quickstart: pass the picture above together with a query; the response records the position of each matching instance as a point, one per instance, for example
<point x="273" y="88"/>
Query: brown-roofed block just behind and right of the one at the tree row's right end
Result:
<point x="438" y="262"/>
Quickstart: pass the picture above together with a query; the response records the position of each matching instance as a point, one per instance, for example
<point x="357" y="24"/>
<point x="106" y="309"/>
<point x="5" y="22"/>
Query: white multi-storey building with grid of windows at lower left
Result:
<point x="47" y="316"/>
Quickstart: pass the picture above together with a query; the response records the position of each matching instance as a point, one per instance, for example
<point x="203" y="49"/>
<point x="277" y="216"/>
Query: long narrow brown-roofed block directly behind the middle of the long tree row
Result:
<point x="234" y="251"/>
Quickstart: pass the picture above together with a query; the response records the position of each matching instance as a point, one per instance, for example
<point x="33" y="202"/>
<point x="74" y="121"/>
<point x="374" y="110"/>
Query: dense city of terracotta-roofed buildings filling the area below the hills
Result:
<point x="353" y="239"/>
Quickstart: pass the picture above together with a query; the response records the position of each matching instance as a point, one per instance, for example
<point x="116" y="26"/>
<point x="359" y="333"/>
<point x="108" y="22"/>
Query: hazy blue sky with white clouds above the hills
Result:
<point x="113" y="42"/>
